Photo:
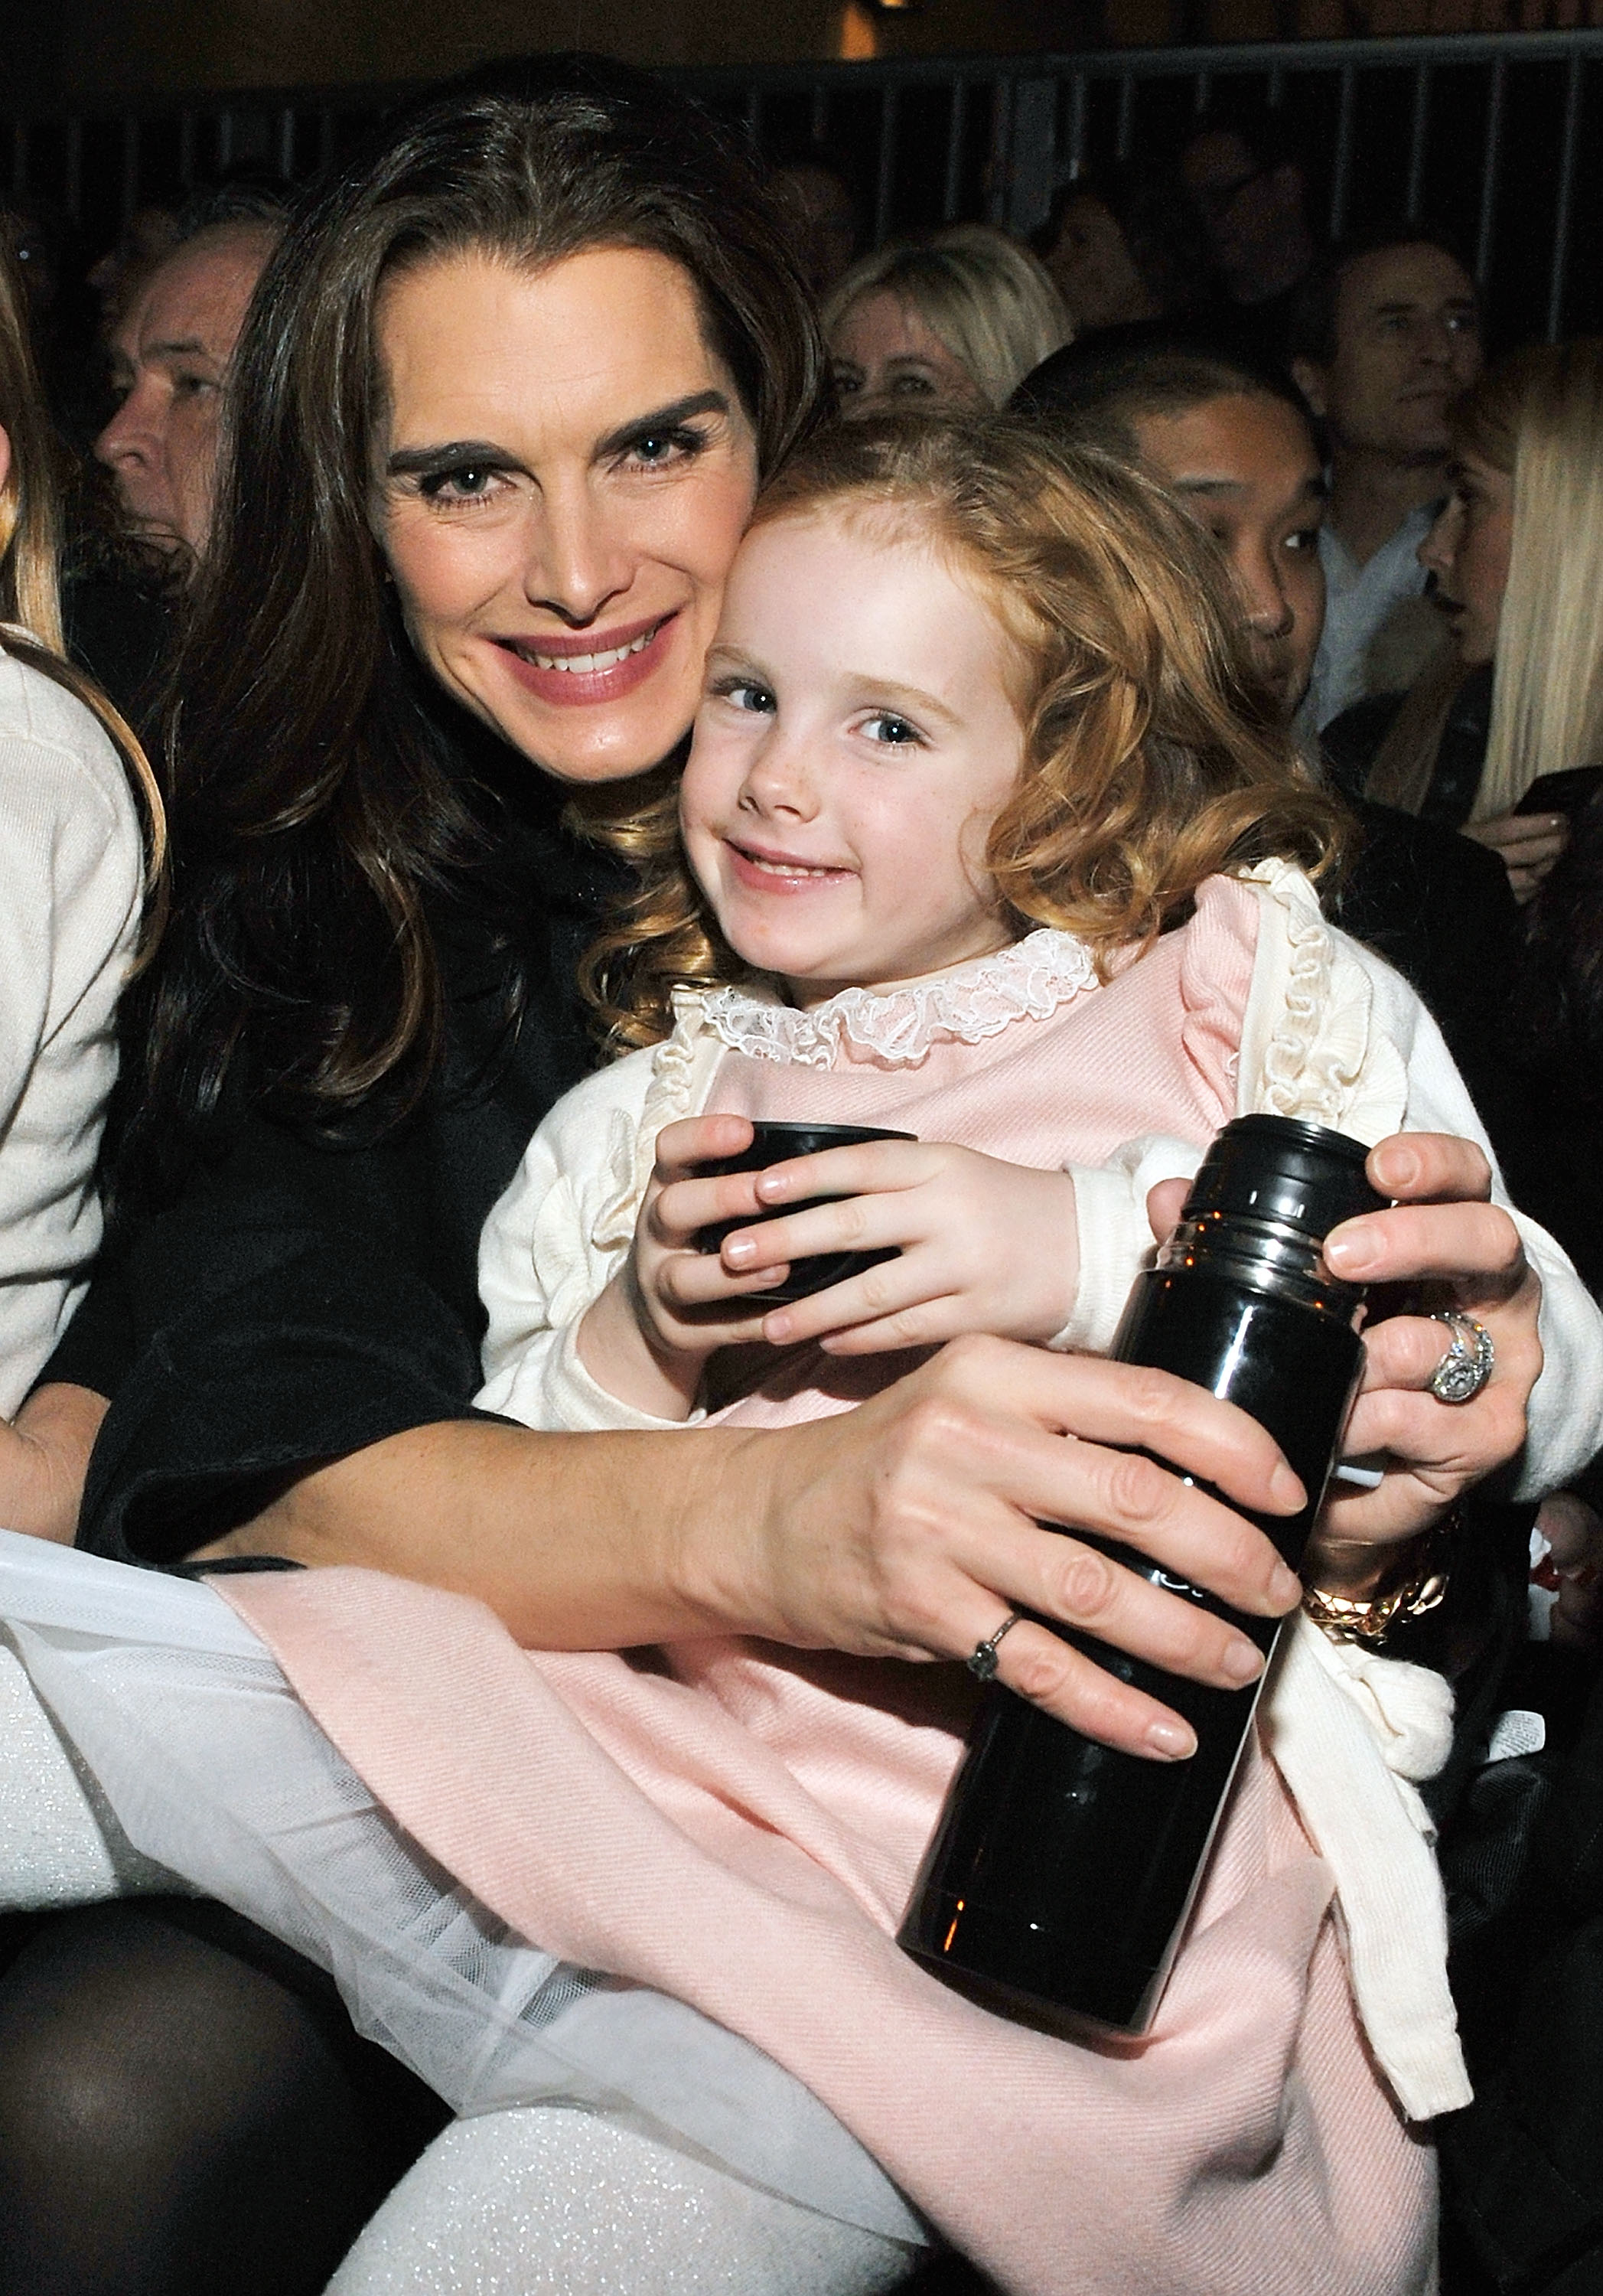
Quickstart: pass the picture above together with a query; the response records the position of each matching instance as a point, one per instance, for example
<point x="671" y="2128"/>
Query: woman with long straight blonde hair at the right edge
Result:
<point x="1519" y="564"/>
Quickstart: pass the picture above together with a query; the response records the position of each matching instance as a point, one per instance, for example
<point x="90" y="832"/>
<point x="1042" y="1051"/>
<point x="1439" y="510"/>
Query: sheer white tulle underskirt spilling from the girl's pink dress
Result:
<point x="148" y="1742"/>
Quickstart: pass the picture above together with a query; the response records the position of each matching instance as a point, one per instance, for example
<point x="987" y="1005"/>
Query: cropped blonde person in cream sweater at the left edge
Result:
<point x="72" y="903"/>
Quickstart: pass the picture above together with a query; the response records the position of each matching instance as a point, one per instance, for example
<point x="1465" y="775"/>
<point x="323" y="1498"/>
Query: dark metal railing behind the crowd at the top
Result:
<point x="1499" y="137"/>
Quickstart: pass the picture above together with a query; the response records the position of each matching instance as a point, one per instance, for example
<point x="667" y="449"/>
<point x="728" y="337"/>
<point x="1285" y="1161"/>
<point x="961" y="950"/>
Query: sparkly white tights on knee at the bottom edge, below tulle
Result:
<point x="550" y="2201"/>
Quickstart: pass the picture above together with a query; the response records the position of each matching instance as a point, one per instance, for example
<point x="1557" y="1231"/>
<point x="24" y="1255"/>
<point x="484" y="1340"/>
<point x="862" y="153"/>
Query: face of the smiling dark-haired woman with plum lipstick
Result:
<point x="562" y="488"/>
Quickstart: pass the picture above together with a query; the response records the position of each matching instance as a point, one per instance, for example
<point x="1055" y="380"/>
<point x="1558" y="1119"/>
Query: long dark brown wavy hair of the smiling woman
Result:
<point x="318" y="793"/>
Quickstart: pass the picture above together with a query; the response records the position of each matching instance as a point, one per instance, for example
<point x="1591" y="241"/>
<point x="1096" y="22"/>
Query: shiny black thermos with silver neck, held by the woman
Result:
<point x="1062" y="1872"/>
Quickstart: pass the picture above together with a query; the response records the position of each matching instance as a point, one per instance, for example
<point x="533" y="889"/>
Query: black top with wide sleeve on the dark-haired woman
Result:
<point x="304" y="1301"/>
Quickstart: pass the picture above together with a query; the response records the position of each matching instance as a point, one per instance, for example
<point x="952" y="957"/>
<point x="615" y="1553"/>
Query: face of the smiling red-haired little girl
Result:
<point x="853" y="750"/>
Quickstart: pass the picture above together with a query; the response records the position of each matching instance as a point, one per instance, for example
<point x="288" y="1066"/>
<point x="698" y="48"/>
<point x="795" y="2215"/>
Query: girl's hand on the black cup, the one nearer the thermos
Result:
<point x="982" y="1248"/>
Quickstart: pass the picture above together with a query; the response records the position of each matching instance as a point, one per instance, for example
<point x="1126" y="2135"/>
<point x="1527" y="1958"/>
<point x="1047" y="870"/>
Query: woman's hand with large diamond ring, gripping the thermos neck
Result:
<point x="1446" y="1236"/>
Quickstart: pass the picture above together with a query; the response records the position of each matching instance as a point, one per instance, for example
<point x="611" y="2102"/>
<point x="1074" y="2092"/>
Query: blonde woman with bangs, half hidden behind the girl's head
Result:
<point x="954" y="320"/>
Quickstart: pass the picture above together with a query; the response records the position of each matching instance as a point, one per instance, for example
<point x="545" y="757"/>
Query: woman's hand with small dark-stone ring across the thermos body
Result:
<point x="913" y="1526"/>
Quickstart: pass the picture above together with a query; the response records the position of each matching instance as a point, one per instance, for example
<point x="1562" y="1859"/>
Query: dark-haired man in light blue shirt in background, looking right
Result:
<point x="1384" y="339"/>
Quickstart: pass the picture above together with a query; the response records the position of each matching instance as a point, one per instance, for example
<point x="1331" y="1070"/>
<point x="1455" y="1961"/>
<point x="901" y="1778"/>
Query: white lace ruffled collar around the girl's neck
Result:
<point x="970" y="1004"/>
